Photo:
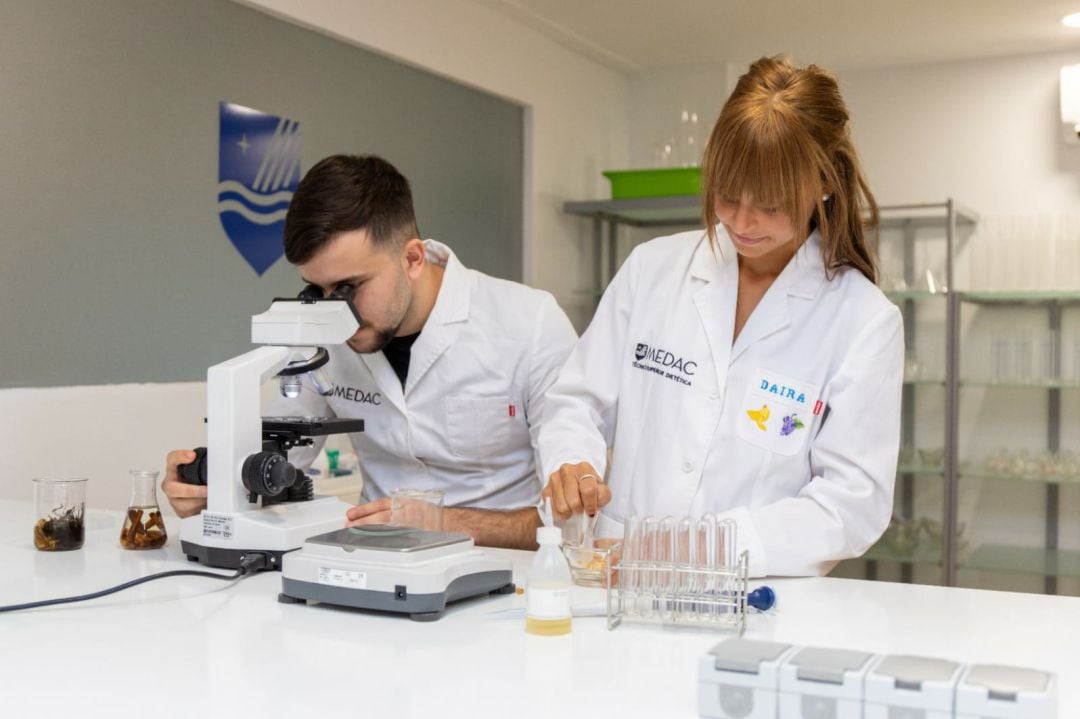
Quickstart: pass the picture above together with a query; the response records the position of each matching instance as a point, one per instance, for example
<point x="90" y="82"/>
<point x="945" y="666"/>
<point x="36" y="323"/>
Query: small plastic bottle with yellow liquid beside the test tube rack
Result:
<point x="548" y="593"/>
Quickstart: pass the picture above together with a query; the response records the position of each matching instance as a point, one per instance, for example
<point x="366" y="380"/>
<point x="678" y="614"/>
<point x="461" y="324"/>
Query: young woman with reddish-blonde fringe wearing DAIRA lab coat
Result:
<point x="753" y="371"/>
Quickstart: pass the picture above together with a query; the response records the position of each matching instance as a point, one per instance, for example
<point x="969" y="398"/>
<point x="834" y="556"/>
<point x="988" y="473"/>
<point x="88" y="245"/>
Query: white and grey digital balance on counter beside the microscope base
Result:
<point x="394" y="569"/>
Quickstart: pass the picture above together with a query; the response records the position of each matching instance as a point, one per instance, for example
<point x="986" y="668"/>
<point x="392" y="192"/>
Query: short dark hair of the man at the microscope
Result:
<point x="347" y="193"/>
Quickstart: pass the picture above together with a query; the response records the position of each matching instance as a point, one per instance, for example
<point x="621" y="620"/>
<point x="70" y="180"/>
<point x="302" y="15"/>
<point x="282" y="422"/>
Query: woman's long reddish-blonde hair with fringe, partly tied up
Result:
<point x="784" y="139"/>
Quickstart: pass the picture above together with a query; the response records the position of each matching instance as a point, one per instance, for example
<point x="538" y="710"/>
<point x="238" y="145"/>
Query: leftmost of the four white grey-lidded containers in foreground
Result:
<point x="738" y="680"/>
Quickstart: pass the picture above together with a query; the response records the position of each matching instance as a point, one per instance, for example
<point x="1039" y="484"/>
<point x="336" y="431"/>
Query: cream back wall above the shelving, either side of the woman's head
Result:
<point x="983" y="132"/>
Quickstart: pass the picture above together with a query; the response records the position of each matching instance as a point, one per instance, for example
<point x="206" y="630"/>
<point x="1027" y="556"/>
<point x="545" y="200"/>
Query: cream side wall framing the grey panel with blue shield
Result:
<point x="577" y="115"/>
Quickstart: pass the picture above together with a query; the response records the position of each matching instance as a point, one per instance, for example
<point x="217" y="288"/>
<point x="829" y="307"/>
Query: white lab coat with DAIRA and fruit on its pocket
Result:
<point x="811" y="480"/>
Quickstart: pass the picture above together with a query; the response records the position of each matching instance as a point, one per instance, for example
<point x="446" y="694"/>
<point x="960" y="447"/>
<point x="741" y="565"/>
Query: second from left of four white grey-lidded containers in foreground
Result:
<point x="823" y="684"/>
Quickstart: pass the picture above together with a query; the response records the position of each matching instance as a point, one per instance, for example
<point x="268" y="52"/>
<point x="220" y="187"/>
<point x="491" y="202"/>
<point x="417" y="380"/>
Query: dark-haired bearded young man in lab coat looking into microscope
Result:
<point x="449" y="370"/>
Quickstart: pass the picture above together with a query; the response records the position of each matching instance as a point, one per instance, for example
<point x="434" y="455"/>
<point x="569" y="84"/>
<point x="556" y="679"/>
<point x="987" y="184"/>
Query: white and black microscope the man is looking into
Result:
<point x="258" y="501"/>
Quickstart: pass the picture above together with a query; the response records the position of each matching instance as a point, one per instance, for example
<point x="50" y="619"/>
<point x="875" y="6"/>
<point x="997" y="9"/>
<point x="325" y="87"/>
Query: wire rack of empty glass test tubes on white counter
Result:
<point x="680" y="572"/>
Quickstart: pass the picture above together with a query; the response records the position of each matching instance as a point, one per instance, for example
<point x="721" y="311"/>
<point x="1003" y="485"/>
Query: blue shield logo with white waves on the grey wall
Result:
<point x="259" y="171"/>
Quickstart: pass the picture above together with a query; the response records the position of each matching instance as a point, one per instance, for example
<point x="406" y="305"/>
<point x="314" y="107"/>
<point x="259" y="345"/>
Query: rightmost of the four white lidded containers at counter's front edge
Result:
<point x="993" y="691"/>
